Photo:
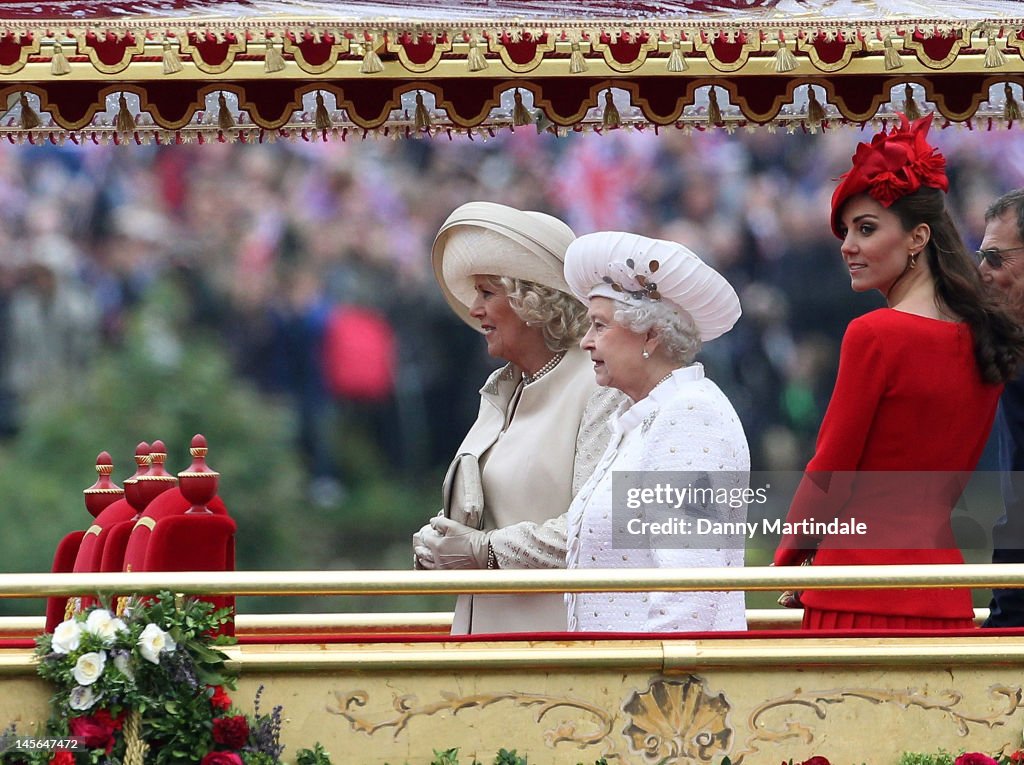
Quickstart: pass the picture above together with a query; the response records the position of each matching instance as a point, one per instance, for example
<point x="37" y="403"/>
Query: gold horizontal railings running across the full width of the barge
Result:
<point x="662" y="655"/>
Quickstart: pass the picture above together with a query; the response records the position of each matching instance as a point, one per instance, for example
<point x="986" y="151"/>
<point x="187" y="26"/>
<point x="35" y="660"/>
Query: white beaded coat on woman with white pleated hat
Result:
<point x="686" y="424"/>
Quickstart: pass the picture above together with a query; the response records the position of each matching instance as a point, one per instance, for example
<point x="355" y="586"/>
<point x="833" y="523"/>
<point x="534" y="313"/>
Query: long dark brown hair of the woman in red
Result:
<point x="999" y="341"/>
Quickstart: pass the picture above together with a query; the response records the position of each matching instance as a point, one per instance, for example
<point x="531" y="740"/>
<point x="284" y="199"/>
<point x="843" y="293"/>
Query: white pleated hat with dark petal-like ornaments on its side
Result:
<point x="634" y="269"/>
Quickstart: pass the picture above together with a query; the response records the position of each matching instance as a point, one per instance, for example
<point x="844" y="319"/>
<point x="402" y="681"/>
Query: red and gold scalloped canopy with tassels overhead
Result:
<point x="249" y="67"/>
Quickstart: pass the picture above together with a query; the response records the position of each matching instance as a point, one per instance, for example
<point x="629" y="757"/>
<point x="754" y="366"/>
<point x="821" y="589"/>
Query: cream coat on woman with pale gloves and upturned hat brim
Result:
<point x="531" y="466"/>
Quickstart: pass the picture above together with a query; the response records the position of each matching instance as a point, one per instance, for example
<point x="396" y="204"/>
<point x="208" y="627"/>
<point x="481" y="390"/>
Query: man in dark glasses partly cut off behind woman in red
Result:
<point x="1001" y="261"/>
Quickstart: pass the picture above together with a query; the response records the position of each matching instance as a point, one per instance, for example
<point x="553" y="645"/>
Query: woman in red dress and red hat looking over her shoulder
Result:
<point x="918" y="387"/>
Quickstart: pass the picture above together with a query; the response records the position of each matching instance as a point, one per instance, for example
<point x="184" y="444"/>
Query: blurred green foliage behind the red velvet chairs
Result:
<point x="169" y="381"/>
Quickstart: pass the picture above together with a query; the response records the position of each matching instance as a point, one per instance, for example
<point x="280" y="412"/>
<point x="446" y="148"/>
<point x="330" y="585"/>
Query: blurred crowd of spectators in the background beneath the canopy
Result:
<point x="270" y="242"/>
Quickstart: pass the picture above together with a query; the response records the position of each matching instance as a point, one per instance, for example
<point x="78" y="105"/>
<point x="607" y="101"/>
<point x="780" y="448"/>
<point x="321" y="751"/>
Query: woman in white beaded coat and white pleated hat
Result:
<point x="653" y="304"/>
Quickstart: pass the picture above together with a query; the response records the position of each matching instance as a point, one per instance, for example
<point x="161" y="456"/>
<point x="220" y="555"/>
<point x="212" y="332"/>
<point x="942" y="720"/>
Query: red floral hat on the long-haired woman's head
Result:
<point x="893" y="165"/>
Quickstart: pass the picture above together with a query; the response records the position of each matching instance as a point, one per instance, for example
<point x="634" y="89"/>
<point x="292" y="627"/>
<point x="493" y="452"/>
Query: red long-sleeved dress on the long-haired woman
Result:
<point x="907" y="424"/>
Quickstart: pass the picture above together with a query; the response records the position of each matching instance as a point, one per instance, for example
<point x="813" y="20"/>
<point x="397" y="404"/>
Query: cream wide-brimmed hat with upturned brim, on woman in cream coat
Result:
<point x="485" y="238"/>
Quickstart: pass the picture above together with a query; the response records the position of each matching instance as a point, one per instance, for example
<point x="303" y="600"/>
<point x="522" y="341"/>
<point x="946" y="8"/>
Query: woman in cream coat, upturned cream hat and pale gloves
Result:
<point x="542" y="421"/>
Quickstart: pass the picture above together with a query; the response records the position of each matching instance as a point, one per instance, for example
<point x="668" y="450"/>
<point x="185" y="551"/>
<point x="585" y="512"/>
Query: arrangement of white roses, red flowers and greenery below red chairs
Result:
<point x="149" y="686"/>
